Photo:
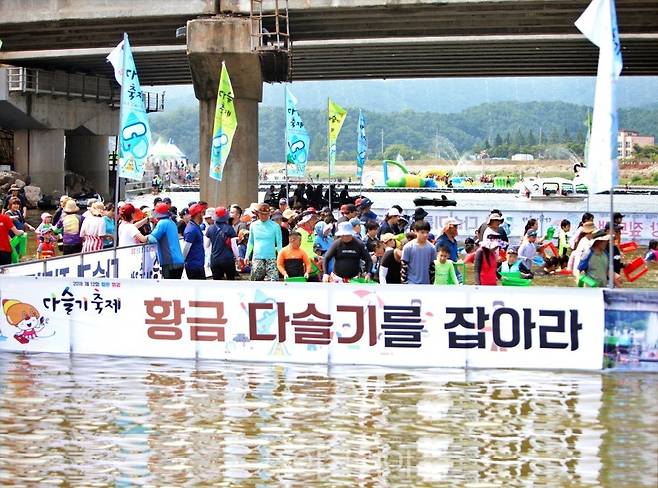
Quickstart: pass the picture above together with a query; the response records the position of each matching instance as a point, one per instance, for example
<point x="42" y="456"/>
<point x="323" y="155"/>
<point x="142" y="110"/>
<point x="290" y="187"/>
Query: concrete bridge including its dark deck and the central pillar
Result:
<point x="331" y="39"/>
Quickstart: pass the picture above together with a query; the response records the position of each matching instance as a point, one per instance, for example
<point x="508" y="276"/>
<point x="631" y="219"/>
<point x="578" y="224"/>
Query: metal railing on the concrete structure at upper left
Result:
<point x="74" y="86"/>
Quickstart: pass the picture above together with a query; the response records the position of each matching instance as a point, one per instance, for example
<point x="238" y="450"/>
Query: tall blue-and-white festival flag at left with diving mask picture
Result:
<point x="134" y="130"/>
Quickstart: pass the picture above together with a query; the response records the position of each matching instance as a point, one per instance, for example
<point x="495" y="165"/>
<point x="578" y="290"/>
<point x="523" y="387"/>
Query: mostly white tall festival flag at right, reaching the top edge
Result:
<point x="599" y="24"/>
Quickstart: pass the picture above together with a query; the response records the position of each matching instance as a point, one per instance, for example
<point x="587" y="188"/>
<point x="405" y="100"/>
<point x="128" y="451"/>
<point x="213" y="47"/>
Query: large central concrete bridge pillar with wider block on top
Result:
<point x="209" y="42"/>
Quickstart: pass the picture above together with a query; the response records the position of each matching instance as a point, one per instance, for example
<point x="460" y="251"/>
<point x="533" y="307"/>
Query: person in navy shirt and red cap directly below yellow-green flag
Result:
<point x="220" y="235"/>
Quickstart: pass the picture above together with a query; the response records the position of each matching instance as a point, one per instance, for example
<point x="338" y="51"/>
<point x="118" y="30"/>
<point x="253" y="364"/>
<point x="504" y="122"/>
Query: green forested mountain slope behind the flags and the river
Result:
<point x="427" y="131"/>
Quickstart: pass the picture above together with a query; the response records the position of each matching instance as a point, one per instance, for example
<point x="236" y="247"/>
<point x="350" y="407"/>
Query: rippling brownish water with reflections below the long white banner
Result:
<point x="127" y="421"/>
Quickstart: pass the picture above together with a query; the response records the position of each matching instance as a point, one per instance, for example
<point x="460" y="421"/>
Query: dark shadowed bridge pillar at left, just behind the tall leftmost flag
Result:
<point x="87" y="155"/>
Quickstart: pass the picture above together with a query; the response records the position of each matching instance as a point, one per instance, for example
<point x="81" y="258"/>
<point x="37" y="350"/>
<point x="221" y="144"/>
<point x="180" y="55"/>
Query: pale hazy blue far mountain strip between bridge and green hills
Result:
<point x="442" y="95"/>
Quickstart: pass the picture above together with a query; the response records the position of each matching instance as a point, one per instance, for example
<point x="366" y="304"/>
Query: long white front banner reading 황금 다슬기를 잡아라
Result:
<point x="396" y="325"/>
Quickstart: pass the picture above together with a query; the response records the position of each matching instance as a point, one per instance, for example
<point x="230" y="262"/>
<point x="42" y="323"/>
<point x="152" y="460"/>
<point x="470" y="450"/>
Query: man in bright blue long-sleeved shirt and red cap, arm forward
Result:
<point x="165" y="235"/>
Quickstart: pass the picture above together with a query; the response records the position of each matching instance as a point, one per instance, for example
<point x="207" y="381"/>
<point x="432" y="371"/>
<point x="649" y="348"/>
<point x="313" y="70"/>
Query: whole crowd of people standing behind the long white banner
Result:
<point x="272" y="241"/>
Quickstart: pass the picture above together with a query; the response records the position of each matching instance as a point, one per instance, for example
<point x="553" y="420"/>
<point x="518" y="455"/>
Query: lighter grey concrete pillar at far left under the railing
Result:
<point x="40" y="153"/>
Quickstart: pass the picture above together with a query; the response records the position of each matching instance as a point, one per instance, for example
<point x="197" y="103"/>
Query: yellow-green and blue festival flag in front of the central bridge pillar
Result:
<point x="226" y="121"/>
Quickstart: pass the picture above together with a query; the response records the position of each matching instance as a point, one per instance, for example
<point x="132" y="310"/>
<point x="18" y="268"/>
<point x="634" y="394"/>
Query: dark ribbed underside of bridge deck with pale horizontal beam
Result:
<point x="397" y="40"/>
